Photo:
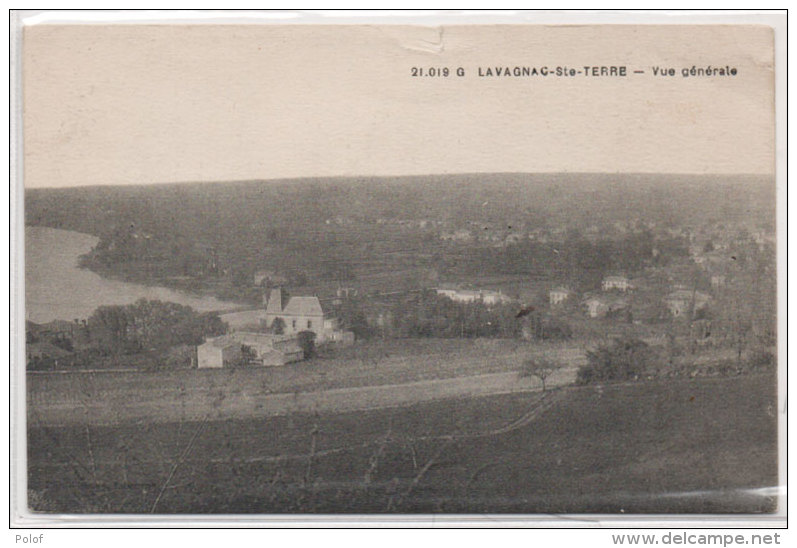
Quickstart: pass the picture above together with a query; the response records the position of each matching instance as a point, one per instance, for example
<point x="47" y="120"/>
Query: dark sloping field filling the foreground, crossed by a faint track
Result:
<point x="700" y="445"/>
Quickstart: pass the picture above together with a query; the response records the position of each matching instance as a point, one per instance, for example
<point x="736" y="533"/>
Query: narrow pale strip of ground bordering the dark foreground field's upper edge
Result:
<point x="220" y="404"/>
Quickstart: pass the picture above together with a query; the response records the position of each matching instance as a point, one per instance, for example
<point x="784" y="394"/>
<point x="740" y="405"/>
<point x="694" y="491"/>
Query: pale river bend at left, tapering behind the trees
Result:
<point x="56" y="289"/>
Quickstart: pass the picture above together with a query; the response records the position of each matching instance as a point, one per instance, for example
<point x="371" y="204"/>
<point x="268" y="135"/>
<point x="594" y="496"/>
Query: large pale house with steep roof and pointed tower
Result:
<point x="302" y="313"/>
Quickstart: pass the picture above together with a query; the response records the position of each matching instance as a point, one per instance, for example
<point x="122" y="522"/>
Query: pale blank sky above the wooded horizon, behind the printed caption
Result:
<point x="122" y="104"/>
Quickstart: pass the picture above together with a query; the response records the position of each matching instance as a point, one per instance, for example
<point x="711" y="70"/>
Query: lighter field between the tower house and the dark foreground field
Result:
<point x="399" y="372"/>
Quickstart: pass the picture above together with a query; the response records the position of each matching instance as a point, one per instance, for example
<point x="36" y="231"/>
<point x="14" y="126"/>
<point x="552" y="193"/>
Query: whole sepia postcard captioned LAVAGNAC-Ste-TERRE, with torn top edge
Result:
<point x="372" y="270"/>
